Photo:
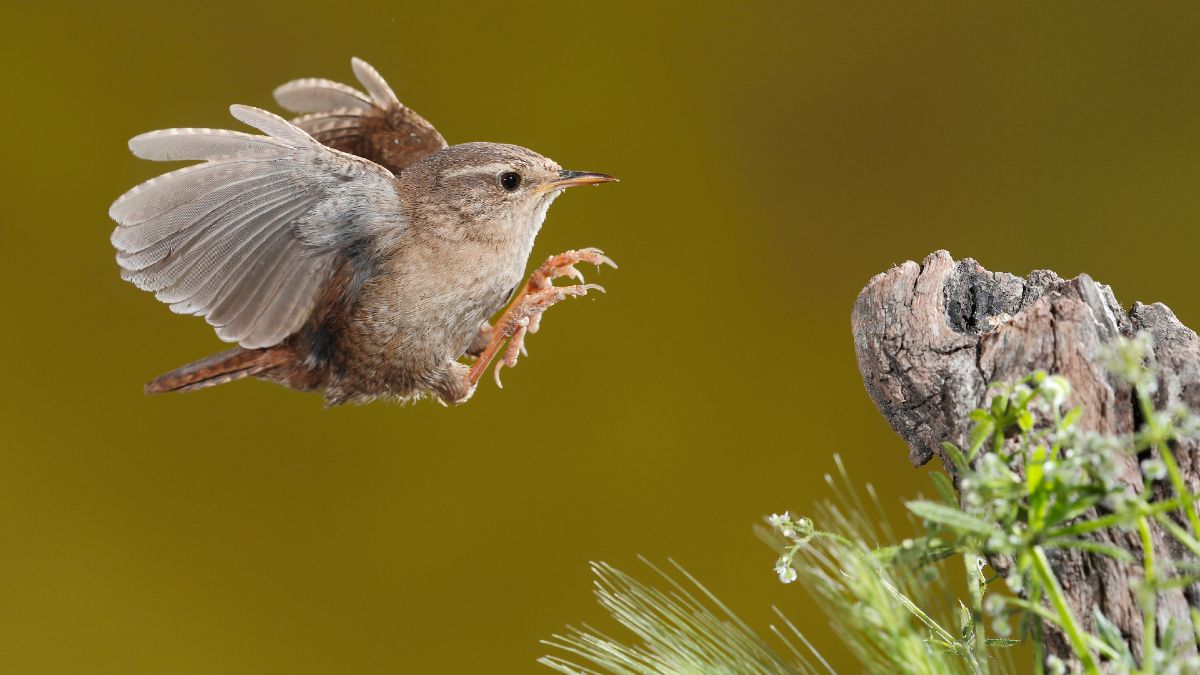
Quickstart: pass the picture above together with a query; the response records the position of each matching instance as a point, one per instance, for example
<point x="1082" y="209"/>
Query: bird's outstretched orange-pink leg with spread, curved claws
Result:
<point x="536" y="297"/>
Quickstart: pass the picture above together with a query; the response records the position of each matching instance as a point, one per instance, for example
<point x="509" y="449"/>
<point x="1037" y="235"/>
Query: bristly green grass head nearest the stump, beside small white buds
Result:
<point x="892" y="605"/>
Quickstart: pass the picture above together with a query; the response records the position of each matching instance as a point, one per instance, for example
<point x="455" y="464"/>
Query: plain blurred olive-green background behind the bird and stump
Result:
<point x="773" y="158"/>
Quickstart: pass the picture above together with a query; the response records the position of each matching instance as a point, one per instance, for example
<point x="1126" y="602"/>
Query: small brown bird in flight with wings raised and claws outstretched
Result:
<point x="350" y="252"/>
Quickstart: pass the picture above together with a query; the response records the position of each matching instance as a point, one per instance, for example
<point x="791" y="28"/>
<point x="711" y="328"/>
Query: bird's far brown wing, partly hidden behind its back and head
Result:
<point x="375" y="126"/>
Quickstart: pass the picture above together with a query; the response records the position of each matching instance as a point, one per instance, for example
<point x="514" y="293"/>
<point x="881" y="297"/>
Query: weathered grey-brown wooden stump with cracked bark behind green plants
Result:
<point x="929" y="341"/>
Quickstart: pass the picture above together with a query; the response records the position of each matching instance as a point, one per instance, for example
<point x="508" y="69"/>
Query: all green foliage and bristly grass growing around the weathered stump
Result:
<point x="1030" y="483"/>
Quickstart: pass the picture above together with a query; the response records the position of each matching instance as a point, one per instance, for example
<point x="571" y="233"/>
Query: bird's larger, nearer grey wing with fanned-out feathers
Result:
<point x="249" y="237"/>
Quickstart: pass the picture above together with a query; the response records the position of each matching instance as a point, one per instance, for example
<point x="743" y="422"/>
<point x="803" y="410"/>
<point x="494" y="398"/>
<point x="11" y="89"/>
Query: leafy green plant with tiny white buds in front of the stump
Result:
<point x="1031" y="482"/>
